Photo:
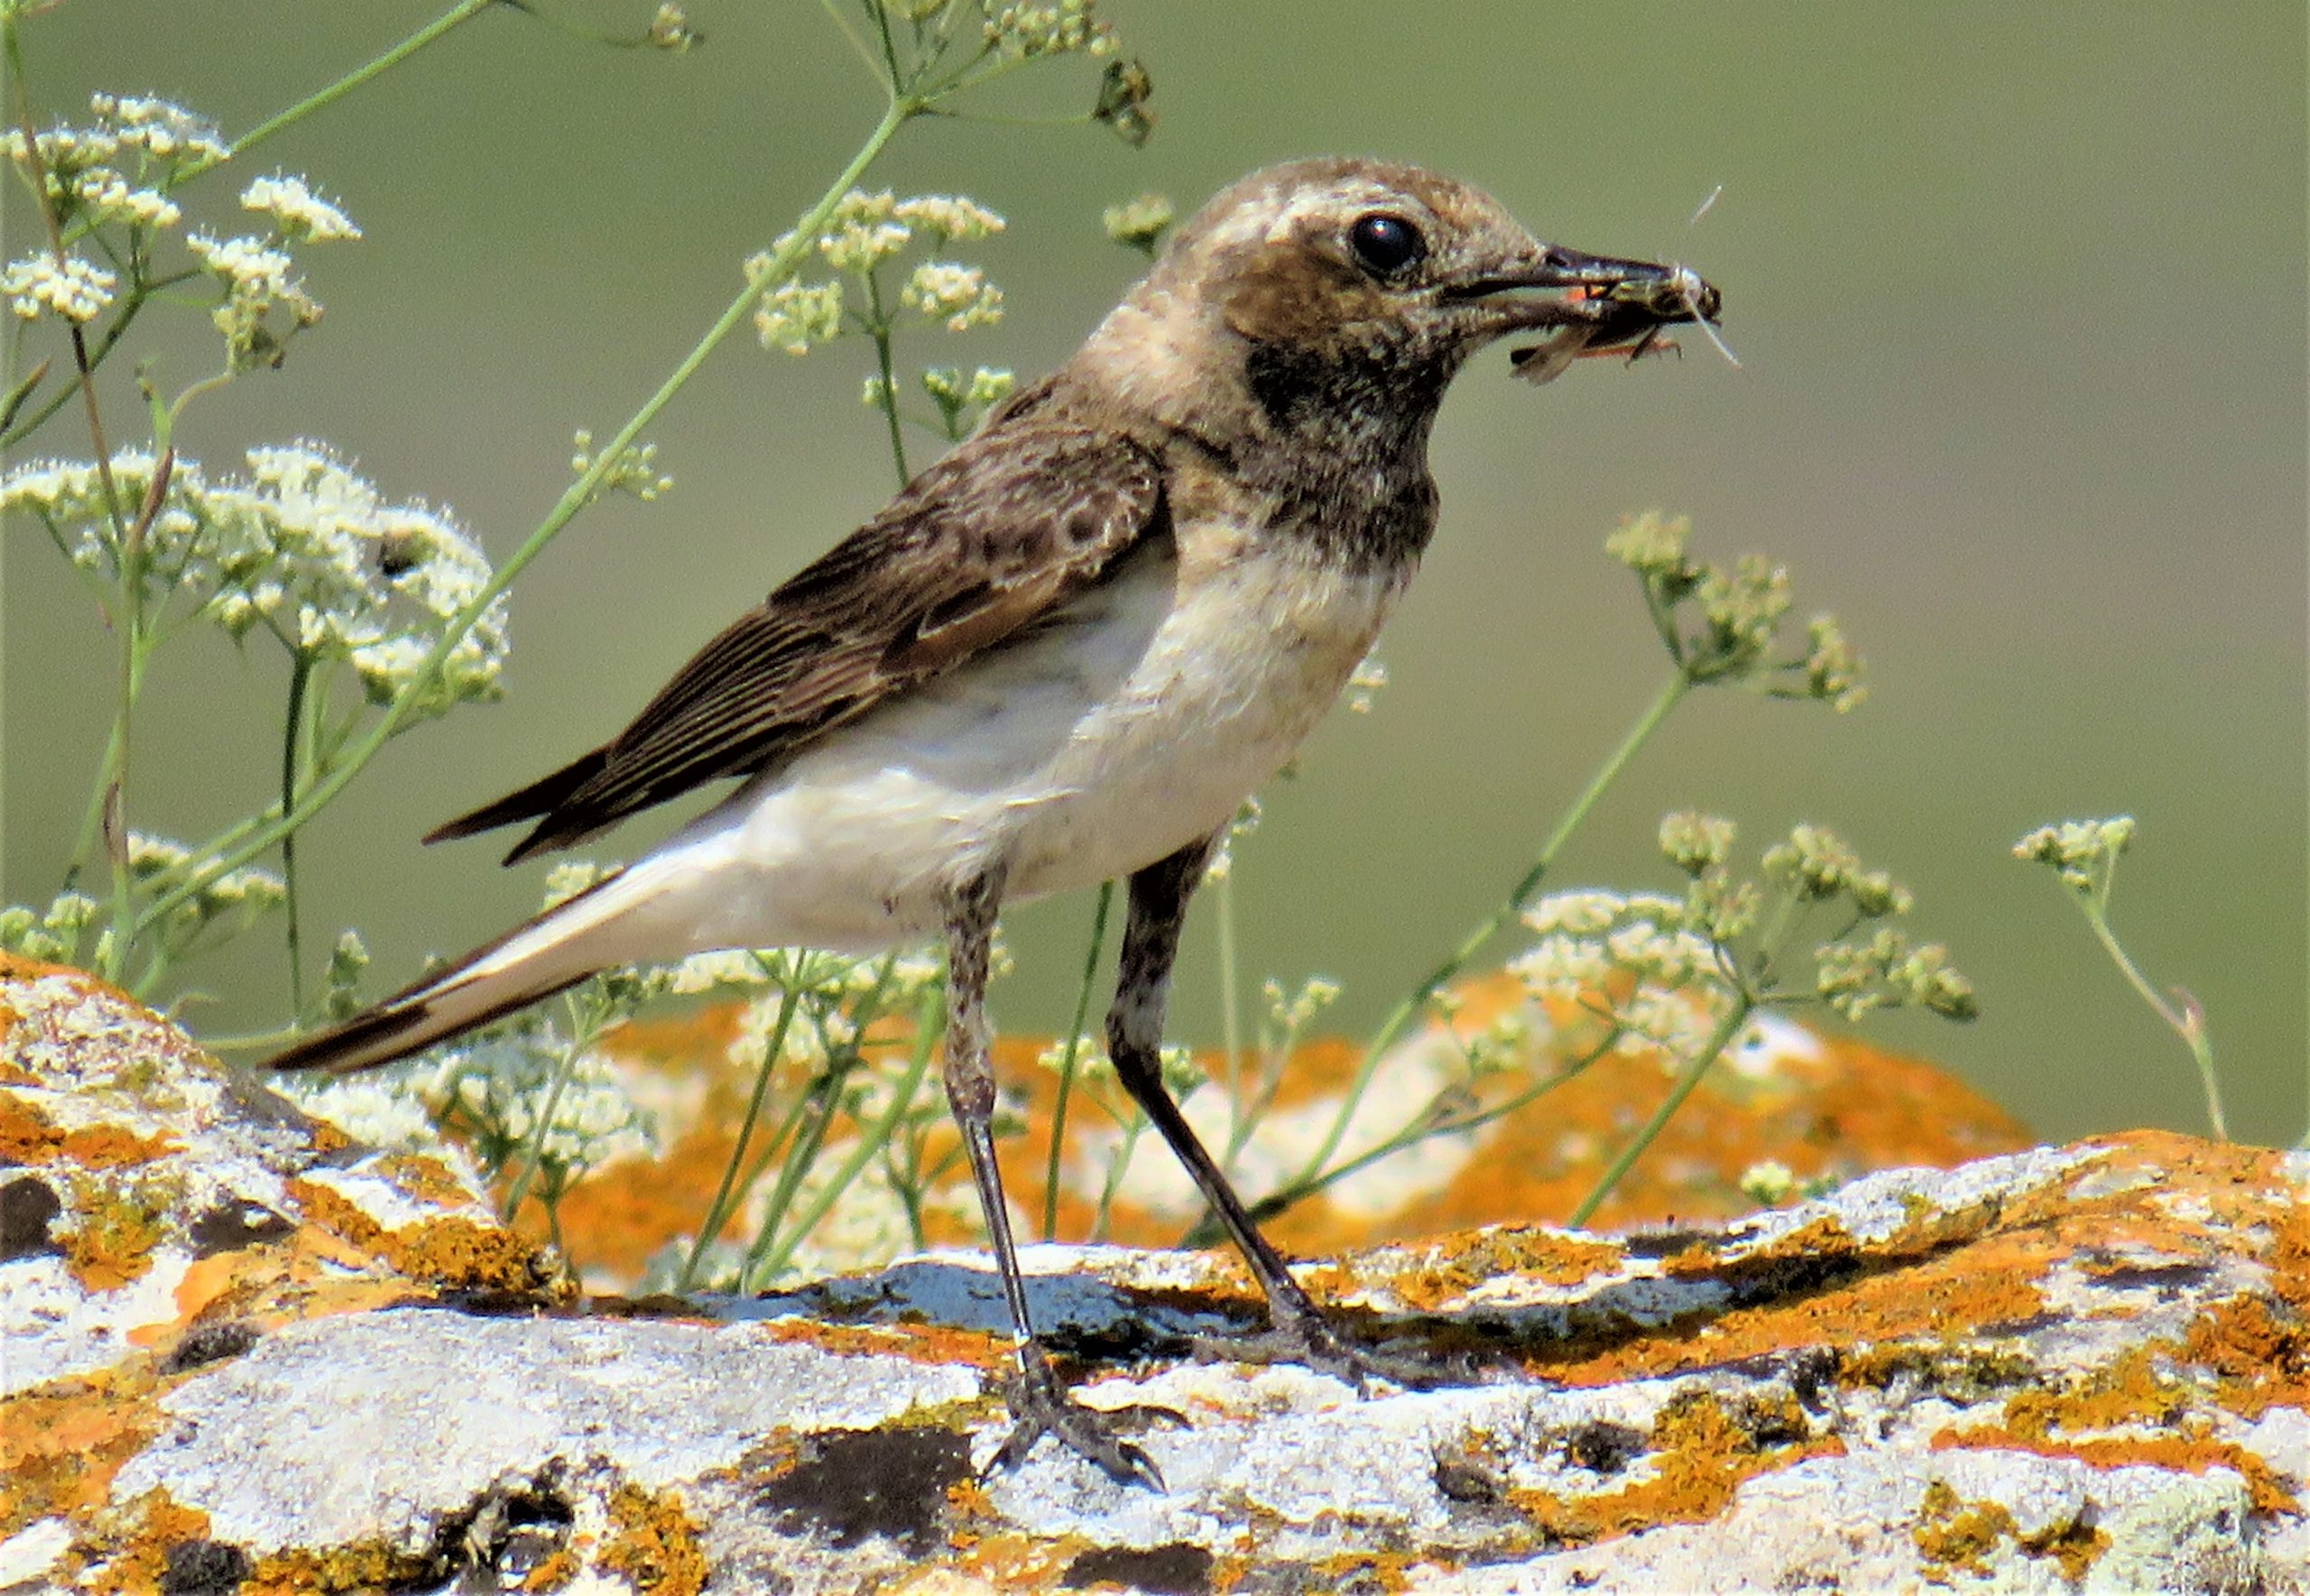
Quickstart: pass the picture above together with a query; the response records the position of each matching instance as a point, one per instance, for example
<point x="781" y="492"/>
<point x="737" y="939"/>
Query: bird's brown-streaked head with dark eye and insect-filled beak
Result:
<point x="1339" y="281"/>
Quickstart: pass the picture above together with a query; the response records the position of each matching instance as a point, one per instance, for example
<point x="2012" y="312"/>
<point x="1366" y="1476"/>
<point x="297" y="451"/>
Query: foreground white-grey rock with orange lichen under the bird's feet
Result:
<point x="248" y="1357"/>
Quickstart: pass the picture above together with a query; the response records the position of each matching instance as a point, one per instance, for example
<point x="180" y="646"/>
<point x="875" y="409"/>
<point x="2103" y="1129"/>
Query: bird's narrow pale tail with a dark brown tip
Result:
<point x="560" y="948"/>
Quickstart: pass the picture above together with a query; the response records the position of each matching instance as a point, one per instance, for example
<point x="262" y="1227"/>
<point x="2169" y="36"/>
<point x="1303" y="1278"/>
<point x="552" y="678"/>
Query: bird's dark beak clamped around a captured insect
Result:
<point x="1590" y="304"/>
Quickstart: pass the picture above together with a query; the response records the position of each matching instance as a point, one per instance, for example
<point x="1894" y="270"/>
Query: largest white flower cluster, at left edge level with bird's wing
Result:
<point x="301" y="549"/>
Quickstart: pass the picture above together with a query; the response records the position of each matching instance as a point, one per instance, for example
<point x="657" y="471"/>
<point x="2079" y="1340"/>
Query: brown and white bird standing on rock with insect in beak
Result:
<point x="1066" y="655"/>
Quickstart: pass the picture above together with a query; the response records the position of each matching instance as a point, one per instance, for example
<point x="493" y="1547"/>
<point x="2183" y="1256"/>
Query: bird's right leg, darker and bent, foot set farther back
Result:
<point x="1299" y="1332"/>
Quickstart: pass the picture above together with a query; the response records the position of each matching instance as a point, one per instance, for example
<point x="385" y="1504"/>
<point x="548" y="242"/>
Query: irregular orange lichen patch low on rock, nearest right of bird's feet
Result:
<point x="1704" y="1449"/>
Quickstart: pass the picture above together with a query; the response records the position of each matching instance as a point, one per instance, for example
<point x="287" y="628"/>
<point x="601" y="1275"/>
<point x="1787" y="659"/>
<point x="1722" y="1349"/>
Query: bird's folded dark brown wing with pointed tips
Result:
<point x="971" y="553"/>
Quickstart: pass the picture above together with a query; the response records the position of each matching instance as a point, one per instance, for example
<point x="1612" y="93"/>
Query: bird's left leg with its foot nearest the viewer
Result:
<point x="1041" y="1403"/>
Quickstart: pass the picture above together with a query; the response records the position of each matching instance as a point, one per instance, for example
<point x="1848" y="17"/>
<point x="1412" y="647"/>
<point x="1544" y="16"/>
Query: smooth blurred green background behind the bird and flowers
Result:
<point x="2020" y="297"/>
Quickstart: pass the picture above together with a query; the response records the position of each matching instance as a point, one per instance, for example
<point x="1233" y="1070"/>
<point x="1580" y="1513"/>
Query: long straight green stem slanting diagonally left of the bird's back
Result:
<point x="574" y="500"/>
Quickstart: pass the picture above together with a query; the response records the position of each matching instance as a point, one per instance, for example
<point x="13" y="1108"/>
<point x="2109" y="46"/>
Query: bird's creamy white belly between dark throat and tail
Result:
<point x="1131" y="726"/>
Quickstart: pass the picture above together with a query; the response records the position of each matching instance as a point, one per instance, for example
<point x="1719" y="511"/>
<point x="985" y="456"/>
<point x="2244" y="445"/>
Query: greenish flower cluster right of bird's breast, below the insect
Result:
<point x="1724" y="625"/>
